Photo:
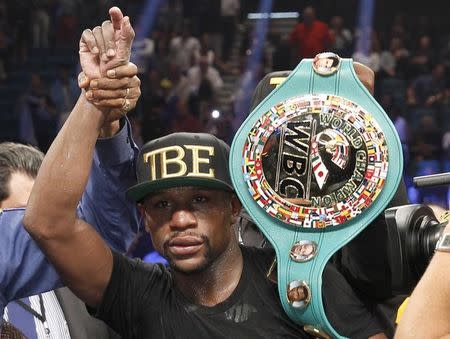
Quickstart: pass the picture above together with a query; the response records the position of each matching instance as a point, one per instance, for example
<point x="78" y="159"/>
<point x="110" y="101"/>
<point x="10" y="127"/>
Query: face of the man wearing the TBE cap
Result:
<point x="191" y="226"/>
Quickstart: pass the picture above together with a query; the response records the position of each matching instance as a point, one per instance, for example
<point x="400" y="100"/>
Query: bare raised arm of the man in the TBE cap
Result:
<point x="72" y="245"/>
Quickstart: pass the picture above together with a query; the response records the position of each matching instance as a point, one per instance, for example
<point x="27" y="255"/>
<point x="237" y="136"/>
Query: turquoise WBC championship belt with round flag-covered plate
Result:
<point x="314" y="163"/>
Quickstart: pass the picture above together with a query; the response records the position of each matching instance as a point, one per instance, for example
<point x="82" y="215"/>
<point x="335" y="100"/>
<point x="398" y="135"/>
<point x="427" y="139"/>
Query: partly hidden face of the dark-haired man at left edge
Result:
<point x="20" y="186"/>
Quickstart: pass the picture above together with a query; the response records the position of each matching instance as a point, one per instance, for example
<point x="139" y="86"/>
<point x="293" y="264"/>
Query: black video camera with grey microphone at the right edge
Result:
<point x="413" y="232"/>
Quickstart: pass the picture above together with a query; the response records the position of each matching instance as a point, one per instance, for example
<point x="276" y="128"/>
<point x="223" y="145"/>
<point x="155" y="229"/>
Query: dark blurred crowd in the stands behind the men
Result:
<point x="191" y="60"/>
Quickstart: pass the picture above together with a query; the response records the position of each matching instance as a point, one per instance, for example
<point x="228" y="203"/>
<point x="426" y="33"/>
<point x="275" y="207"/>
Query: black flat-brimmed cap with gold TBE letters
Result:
<point x="182" y="159"/>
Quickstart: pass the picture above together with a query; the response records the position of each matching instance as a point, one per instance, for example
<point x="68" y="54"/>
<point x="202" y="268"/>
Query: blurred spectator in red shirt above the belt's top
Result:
<point x="311" y="36"/>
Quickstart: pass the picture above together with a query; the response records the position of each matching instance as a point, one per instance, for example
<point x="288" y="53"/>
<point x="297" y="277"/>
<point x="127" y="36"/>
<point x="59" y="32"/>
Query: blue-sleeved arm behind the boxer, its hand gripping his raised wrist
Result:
<point x="24" y="270"/>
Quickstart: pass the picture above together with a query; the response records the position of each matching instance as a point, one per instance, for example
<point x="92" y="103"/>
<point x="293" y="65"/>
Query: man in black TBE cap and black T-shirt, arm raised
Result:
<point x="213" y="288"/>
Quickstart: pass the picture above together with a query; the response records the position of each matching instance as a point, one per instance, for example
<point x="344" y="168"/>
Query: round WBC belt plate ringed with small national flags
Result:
<point x="315" y="161"/>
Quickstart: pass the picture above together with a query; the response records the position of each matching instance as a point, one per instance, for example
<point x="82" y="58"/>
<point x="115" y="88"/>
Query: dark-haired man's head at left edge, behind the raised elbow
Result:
<point x="19" y="165"/>
